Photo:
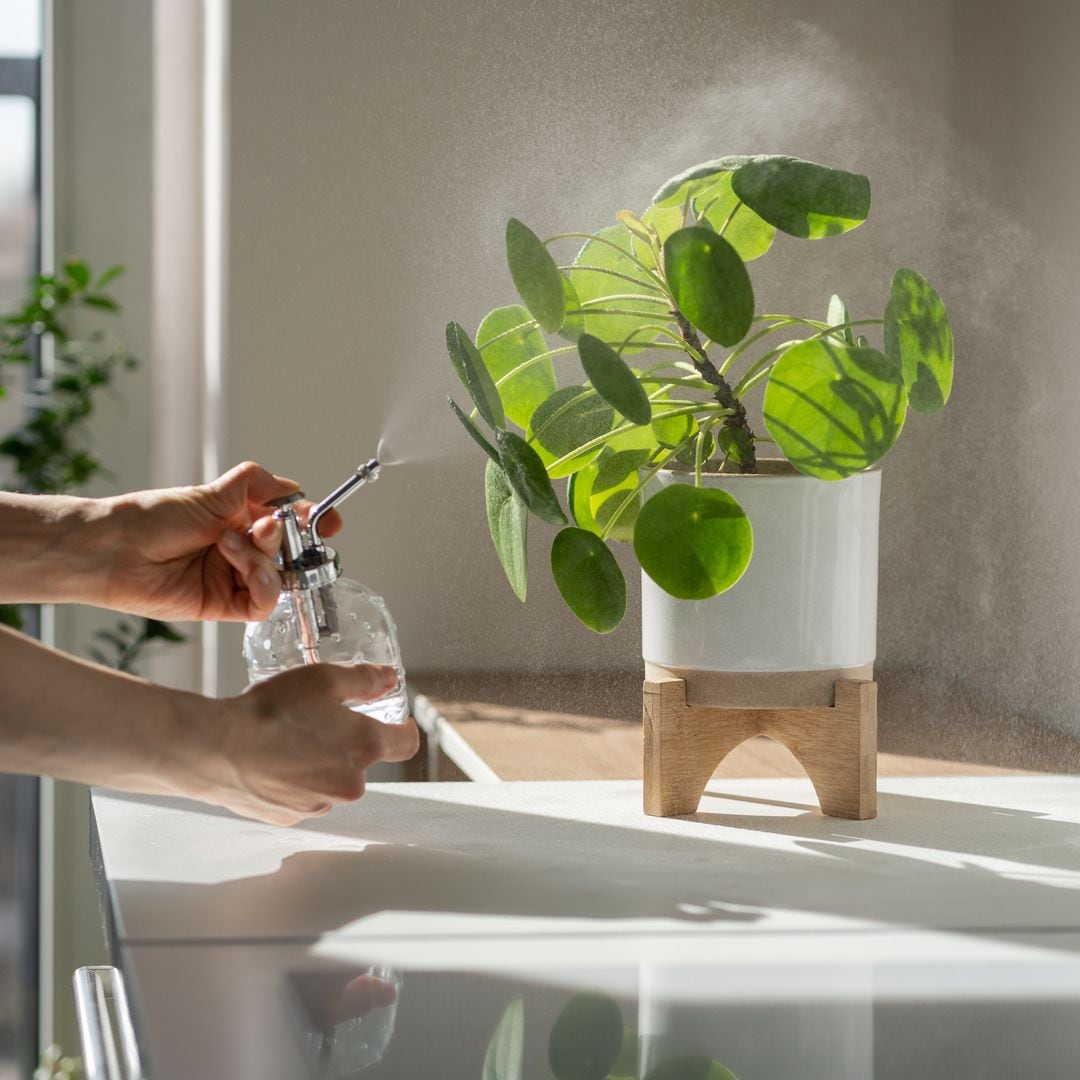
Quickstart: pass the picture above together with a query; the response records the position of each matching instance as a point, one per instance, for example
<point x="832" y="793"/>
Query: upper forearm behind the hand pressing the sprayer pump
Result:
<point x="53" y="549"/>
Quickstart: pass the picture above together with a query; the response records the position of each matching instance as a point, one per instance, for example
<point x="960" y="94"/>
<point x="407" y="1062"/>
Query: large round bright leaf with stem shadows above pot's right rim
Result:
<point x="834" y="410"/>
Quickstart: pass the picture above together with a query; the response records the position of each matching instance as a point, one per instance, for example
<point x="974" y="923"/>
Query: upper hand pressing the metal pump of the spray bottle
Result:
<point x="201" y="552"/>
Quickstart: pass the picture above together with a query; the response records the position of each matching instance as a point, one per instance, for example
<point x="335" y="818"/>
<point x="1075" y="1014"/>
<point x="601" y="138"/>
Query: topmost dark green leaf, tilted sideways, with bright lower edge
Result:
<point x="803" y="199"/>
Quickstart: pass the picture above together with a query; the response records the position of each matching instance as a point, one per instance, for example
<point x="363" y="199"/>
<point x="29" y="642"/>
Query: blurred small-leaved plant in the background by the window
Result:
<point x="51" y="452"/>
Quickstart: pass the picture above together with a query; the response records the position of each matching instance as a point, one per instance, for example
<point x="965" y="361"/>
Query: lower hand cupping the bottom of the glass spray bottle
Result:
<point x="291" y="748"/>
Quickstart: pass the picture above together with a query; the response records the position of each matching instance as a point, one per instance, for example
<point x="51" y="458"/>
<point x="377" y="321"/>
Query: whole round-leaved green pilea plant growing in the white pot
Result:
<point x="647" y="306"/>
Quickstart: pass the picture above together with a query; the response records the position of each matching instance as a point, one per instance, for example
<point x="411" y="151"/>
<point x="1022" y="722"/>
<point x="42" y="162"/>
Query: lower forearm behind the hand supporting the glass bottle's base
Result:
<point x="74" y="721"/>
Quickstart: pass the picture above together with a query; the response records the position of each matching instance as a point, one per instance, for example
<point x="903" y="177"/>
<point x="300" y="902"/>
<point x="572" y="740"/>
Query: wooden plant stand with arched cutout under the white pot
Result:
<point x="836" y="746"/>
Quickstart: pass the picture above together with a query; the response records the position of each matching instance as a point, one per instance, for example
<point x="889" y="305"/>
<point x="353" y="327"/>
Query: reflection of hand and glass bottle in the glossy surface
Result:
<point x="348" y="1023"/>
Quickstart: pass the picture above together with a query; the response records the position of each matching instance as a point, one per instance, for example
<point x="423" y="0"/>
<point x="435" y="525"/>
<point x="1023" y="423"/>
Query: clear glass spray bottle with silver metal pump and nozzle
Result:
<point x="322" y="617"/>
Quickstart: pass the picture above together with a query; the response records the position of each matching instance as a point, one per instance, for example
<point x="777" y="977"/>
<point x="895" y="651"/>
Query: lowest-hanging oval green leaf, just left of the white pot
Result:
<point x="590" y="582"/>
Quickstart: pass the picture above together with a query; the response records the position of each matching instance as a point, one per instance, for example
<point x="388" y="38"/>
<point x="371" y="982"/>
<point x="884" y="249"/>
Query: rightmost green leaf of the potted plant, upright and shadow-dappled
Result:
<point x="919" y="339"/>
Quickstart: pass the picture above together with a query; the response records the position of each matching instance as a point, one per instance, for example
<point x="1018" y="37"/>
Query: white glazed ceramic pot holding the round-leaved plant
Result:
<point x="808" y="601"/>
